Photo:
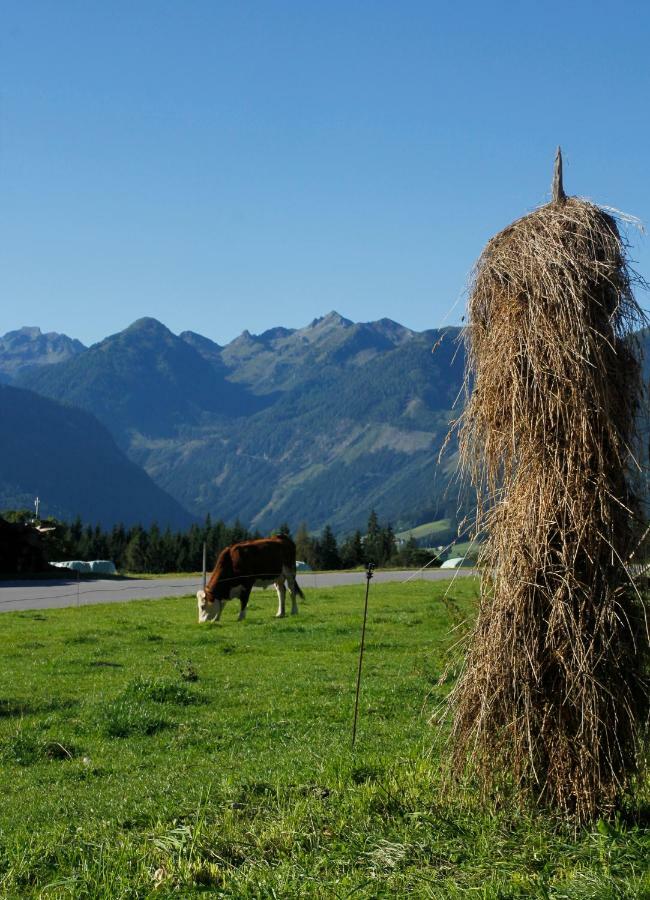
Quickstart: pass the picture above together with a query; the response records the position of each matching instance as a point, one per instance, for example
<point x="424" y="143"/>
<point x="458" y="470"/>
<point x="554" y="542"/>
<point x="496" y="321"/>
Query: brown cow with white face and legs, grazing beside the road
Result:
<point x="243" y="565"/>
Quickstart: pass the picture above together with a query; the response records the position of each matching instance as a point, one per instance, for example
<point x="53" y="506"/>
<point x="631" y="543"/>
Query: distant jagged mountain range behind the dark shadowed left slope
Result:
<point x="319" y="424"/>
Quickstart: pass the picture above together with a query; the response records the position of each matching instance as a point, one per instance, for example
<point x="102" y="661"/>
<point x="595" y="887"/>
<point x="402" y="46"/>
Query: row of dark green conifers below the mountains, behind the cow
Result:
<point x="156" y="550"/>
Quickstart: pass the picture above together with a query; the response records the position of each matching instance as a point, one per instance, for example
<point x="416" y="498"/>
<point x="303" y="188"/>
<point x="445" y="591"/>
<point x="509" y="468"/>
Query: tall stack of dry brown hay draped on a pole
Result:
<point x="552" y="696"/>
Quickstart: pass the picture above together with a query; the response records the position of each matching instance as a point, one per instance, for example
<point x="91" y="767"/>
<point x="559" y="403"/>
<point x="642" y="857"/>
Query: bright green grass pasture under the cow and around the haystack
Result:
<point x="145" y="755"/>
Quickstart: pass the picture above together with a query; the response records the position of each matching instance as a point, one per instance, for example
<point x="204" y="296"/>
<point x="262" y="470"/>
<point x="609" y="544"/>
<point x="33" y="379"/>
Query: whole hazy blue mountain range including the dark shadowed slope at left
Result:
<point x="320" y="425"/>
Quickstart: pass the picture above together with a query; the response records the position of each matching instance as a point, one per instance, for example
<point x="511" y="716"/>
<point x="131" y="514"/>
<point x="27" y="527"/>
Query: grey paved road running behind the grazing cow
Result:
<point x="22" y="595"/>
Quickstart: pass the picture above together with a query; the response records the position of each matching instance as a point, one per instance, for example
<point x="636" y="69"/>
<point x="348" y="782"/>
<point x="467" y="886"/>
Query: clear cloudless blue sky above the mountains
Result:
<point x="223" y="166"/>
